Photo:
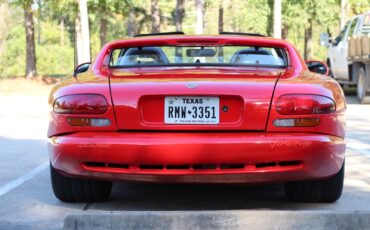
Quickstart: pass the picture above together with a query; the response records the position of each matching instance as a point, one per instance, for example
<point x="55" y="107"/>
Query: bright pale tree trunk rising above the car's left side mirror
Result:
<point x="82" y="34"/>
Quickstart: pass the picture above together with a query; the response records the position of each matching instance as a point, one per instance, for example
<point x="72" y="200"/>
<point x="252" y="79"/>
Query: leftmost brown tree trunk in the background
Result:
<point x="30" y="40"/>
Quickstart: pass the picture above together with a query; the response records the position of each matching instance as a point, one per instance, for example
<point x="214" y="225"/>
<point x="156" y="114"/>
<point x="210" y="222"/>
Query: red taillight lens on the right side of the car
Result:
<point x="303" y="104"/>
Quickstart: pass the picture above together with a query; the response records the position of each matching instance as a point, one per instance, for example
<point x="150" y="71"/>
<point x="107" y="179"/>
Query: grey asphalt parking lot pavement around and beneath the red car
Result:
<point x="27" y="201"/>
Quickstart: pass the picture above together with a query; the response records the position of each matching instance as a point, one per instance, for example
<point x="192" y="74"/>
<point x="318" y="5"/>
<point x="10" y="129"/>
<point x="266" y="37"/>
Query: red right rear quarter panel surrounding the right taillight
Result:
<point x="310" y="83"/>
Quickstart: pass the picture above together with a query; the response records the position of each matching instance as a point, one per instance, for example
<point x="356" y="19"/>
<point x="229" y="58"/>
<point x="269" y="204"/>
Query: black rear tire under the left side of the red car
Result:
<point x="79" y="190"/>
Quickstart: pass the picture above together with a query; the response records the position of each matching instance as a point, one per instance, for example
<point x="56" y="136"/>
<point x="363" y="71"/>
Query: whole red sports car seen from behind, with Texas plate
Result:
<point x="230" y="108"/>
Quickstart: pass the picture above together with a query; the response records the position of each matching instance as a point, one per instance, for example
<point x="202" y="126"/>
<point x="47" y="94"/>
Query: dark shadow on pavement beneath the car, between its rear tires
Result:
<point x="144" y="196"/>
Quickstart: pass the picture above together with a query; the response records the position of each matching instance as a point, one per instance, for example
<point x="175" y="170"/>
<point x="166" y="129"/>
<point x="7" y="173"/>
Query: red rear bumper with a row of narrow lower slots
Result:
<point x="197" y="157"/>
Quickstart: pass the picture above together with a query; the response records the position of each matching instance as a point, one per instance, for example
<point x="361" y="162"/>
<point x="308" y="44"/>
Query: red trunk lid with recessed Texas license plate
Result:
<point x="143" y="98"/>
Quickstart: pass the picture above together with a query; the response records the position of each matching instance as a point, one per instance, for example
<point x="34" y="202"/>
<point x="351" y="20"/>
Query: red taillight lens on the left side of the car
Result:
<point x="81" y="104"/>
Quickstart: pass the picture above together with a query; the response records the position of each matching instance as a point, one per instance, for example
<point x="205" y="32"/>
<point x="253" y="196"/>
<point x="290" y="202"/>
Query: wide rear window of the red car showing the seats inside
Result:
<point x="198" y="56"/>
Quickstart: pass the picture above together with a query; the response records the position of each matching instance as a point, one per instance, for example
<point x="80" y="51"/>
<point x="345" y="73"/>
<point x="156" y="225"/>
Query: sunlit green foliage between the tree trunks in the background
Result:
<point x="55" y="54"/>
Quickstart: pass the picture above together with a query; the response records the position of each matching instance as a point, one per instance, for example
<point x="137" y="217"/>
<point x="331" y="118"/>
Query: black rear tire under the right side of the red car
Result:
<point x="325" y="191"/>
